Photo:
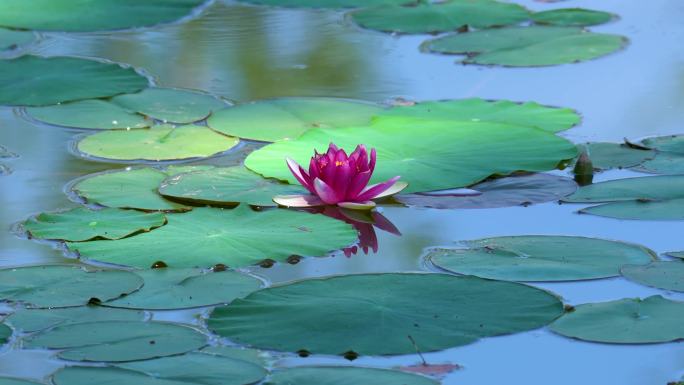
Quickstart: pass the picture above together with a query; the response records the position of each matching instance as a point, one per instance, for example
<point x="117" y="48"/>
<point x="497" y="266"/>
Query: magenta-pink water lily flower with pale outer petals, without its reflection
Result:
<point x="337" y="179"/>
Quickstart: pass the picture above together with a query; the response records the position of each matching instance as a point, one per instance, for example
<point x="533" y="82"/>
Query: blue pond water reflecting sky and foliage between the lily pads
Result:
<point x="244" y="52"/>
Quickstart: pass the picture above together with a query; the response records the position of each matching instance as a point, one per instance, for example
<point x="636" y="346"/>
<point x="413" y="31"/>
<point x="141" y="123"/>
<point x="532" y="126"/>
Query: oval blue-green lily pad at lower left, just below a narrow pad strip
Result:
<point x="118" y="341"/>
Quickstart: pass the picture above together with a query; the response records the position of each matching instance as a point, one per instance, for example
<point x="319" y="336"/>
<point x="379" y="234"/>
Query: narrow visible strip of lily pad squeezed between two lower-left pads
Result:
<point x="33" y="320"/>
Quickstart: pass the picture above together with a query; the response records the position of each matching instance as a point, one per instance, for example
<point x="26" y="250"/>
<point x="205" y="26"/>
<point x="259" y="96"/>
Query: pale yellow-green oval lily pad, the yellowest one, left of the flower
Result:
<point x="156" y="143"/>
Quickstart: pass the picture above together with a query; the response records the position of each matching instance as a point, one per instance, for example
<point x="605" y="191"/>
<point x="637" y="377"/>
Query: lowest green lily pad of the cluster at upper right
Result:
<point x="528" y="46"/>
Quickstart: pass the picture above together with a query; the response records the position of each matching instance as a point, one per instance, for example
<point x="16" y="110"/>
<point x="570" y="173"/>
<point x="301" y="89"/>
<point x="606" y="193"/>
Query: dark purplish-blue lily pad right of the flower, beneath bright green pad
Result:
<point x="500" y="192"/>
